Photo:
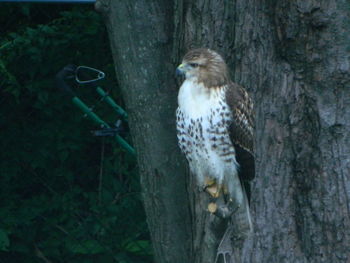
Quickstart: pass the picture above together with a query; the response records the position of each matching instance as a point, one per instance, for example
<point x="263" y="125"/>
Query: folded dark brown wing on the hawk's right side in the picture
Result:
<point x="242" y="128"/>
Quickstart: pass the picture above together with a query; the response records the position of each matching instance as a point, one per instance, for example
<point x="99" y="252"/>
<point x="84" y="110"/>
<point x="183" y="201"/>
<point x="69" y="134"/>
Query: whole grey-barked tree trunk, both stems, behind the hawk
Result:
<point x="293" y="57"/>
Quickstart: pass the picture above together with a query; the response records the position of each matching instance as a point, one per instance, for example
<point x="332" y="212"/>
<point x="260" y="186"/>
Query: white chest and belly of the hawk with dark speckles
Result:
<point x="203" y="118"/>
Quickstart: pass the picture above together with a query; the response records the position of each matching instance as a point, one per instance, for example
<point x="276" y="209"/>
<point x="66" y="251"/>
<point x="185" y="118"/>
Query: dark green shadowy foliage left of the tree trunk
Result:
<point x="66" y="196"/>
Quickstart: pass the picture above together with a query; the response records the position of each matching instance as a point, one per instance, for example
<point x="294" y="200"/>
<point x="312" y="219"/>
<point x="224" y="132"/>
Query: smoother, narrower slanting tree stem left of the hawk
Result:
<point x="140" y="33"/>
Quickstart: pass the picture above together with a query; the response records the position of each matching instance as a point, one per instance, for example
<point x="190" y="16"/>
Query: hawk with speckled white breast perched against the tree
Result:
<point x="215" y="127"/>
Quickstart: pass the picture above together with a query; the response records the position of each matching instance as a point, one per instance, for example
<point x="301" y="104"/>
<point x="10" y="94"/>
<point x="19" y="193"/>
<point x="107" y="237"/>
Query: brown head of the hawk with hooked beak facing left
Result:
<point x="204" y="66"/>
